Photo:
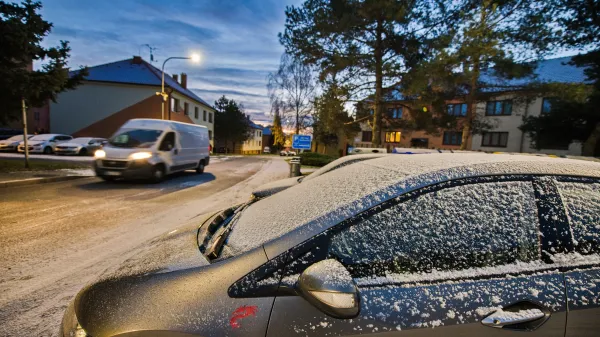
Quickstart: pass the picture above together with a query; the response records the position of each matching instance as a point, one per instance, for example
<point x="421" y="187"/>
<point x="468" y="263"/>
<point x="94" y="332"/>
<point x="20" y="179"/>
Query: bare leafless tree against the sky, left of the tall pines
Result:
<point x="291" y="91"/>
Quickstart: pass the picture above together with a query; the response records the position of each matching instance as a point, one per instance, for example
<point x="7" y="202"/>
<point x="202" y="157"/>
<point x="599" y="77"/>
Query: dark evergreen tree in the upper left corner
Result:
<point x="22" y="30"/>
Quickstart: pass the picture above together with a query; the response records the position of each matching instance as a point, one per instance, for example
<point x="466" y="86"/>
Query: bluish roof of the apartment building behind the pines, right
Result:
<point x="556" y="70"/>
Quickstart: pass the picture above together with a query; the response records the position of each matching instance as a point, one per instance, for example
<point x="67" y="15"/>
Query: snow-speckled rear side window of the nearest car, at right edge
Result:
<point x="582" y="204"/>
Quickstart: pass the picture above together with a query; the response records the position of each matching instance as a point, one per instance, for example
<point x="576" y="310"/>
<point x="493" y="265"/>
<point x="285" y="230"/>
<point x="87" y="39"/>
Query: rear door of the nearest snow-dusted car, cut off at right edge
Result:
<point x="581" y="198"/>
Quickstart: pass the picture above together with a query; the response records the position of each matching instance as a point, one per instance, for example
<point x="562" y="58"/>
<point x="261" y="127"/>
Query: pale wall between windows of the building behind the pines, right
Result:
<point x="518" y="141"/>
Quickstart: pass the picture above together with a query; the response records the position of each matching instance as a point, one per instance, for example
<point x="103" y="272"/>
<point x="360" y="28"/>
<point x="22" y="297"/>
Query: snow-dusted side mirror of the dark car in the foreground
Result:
<point x="329" y="287"/>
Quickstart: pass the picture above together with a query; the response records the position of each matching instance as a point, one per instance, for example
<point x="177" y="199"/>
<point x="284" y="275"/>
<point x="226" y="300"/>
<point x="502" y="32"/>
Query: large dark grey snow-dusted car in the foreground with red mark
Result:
<point x="469" y="244"/>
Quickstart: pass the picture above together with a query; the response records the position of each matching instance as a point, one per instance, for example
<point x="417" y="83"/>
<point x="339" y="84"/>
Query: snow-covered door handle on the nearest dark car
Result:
<point x="525" y="316"/>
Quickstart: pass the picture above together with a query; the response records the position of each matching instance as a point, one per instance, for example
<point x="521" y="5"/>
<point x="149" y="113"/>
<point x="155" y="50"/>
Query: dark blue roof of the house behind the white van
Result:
<point x="142" y="73"/>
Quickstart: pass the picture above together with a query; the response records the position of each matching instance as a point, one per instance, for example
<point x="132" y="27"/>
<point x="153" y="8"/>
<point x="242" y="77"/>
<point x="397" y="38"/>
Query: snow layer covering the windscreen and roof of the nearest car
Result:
<point x="307" y="209"/>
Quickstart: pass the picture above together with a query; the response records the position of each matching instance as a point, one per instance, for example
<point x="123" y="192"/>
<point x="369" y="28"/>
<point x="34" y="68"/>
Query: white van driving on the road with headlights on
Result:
<point x="153" y="148"/>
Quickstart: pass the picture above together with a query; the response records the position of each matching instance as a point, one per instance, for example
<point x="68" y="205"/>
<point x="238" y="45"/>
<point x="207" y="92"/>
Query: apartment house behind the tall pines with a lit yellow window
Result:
<point x="504" y="108"/>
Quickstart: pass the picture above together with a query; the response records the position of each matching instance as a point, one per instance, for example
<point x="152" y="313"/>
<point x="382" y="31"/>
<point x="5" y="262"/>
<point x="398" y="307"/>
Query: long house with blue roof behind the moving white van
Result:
<point x="115" y="92"/>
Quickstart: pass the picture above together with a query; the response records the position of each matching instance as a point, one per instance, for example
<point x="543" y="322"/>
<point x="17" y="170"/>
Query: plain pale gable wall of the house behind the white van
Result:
<point x="91" y="102"/>
